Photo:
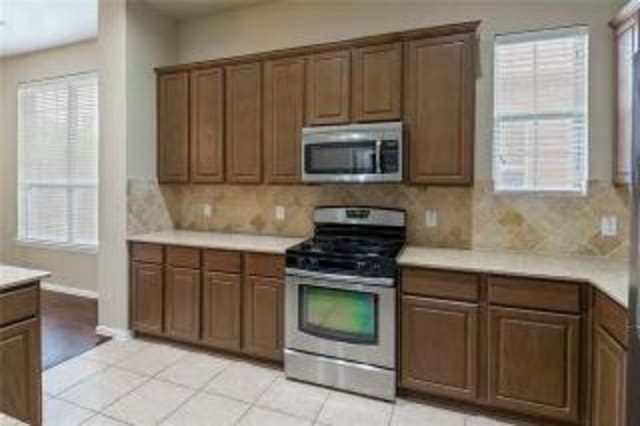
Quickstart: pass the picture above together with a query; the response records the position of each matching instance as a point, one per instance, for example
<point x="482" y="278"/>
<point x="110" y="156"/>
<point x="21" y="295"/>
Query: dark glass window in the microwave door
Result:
<point x="341" y="158"/>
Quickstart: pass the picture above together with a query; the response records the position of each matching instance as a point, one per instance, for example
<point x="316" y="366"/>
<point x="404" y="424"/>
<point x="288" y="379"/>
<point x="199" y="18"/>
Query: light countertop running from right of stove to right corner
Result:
<point x="612" y="278"/>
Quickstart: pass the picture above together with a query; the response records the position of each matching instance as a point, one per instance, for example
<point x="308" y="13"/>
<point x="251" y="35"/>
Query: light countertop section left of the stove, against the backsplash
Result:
<point x="220" y="240"/>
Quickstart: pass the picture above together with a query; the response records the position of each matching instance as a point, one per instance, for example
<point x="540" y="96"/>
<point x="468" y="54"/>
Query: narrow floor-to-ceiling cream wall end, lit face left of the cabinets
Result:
<point x="112" y="257"/>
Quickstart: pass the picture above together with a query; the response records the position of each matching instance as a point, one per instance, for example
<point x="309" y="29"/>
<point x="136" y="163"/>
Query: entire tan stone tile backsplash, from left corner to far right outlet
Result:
<point x="467" y="217"/>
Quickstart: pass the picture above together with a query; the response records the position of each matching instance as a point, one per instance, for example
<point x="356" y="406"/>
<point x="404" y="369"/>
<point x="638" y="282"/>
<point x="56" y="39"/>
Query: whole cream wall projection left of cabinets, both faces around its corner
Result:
<point x="133" y="40"/>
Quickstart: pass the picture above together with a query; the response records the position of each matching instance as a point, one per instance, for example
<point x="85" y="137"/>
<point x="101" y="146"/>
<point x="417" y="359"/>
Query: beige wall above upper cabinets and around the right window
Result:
<point x="288" y="24"/>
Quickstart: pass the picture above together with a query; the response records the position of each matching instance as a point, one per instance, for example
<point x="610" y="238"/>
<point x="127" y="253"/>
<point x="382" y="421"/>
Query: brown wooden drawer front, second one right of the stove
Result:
<point x="559" y="296"/>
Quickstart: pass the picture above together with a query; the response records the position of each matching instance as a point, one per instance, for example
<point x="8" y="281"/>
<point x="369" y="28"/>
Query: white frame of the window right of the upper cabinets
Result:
<point x="541" y="35"/>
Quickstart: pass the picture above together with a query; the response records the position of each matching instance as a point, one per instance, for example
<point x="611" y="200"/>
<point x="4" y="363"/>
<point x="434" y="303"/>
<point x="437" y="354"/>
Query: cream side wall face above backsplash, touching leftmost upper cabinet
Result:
<point x="151" y="42"/>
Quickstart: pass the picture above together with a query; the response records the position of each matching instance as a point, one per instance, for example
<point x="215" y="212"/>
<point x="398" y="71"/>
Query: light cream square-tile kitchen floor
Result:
<point x="138" y="382"/>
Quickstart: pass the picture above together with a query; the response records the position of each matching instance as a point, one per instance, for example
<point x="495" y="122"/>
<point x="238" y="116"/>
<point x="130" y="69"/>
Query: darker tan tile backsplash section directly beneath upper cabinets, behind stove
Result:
<point x="251" y="209"/>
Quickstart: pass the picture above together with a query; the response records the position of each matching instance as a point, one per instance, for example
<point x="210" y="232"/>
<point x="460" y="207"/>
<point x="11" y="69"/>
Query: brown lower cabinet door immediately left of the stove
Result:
<point x="264" y="310"/>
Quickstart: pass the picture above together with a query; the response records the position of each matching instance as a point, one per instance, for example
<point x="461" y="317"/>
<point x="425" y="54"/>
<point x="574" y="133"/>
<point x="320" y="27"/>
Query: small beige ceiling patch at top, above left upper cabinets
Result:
<point x="185" y="9"/>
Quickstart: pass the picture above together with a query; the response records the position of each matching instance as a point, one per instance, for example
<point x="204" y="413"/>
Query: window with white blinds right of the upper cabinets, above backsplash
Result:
<point x="541" y="111"/>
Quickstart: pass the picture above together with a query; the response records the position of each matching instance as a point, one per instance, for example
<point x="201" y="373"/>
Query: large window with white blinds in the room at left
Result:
<point x="58" y="162"/>
